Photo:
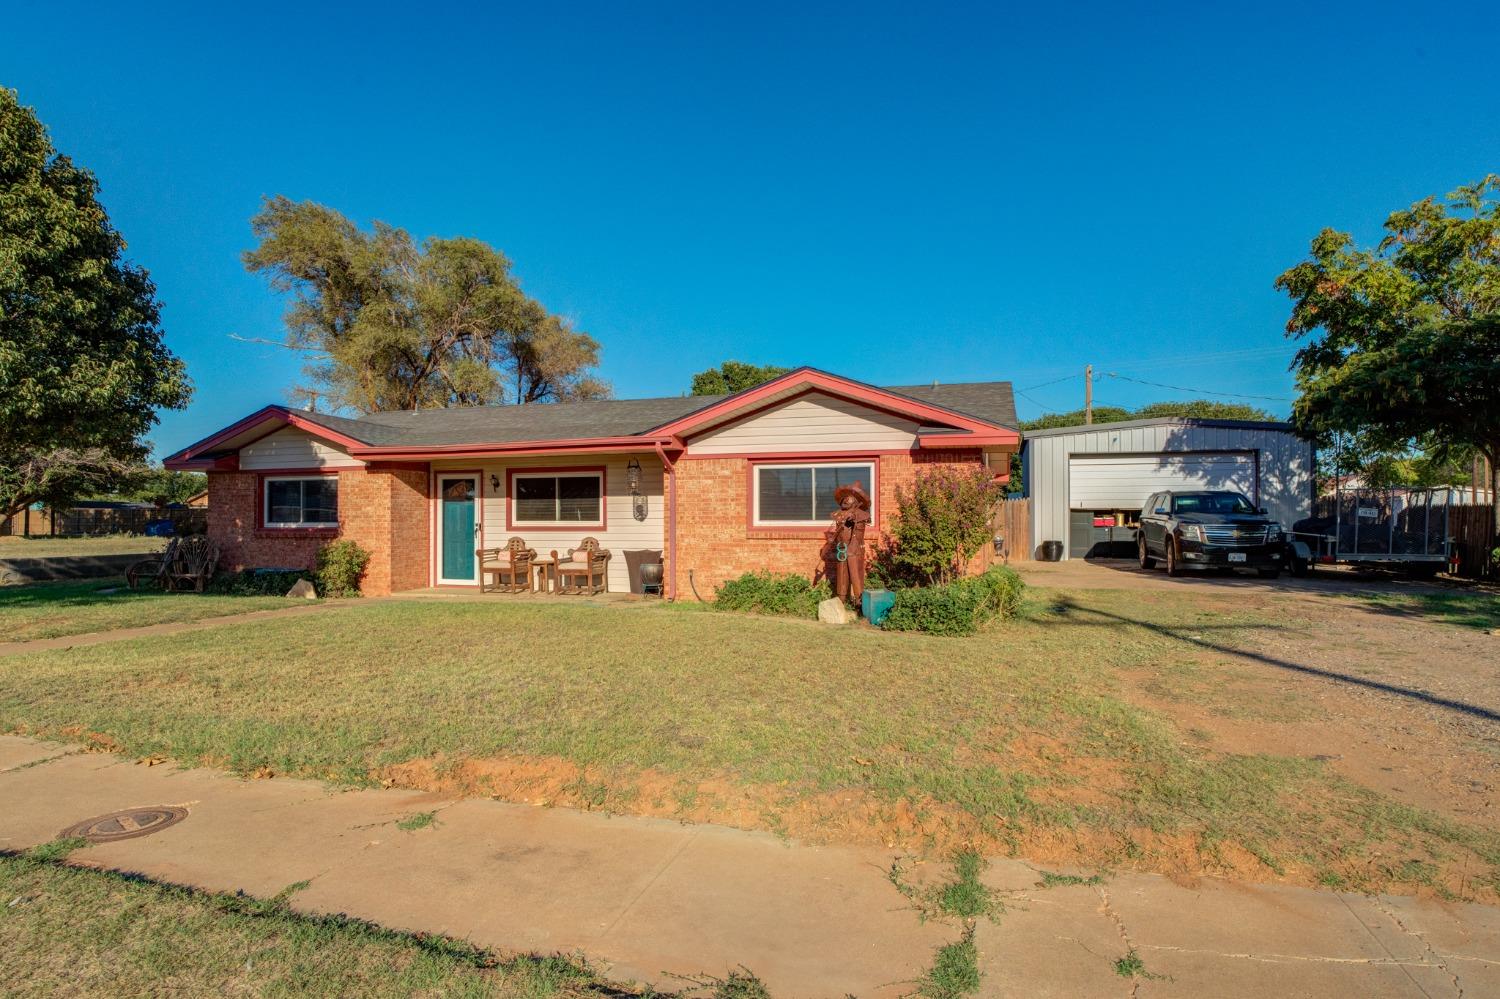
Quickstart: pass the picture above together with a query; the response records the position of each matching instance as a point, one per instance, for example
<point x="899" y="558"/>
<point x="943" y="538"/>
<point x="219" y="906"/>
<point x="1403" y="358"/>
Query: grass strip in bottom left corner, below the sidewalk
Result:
<point x="79" y="932"/>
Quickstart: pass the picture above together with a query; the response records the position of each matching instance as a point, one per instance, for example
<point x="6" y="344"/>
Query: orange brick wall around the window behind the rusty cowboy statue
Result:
<point x="716" y="544"/>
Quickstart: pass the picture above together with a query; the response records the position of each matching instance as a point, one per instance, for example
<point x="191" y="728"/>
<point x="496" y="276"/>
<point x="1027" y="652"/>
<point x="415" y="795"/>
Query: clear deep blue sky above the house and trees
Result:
<point x="899" y="194"/>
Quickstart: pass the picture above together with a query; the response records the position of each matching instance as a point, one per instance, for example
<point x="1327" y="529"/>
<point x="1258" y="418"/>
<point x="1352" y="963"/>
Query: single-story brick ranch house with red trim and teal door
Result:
<point x="710" y="485"/>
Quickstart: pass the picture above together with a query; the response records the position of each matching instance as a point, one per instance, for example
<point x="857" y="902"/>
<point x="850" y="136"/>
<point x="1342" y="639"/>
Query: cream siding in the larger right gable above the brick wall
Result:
<point x="811" y="424"/>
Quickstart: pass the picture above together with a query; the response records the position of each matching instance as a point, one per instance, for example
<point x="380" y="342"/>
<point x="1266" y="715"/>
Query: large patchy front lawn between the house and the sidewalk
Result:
<point x="1018" y="739"/>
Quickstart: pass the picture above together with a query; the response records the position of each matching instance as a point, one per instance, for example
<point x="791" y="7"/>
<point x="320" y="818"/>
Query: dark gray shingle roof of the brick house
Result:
<point x="605" y="418"/>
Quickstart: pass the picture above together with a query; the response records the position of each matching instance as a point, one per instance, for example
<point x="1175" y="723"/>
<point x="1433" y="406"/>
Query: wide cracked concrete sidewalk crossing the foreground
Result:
<point x="647" y="899"/>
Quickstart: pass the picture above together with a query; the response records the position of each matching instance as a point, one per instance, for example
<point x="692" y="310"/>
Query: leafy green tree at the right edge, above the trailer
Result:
<point x="1403" y="341"/>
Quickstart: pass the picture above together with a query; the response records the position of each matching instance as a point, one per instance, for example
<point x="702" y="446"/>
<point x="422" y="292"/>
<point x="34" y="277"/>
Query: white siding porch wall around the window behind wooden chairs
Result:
<point x="622" y="530"/>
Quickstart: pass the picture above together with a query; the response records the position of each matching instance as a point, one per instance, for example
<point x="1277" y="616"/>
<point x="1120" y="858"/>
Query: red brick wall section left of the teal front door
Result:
<point x="383" y="509"/>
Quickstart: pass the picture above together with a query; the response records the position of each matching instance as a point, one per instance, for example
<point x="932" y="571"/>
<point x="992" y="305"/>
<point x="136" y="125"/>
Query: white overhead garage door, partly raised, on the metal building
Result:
<point x="1123" y="482"/>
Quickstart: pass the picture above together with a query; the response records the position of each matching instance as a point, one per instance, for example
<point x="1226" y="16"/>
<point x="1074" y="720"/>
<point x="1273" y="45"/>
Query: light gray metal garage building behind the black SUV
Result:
<point x="1088" y="484"/>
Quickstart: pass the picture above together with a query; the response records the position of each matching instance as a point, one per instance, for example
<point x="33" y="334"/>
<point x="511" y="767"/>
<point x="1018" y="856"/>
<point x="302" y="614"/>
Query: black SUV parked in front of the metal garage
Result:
<point x="1208" y="530"/>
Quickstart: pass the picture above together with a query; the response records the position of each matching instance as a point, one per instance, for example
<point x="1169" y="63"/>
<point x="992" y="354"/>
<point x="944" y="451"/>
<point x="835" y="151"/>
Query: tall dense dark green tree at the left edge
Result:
<point x="83" y="367"/>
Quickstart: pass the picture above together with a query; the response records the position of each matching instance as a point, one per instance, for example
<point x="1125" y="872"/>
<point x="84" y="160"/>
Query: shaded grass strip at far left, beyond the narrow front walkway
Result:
<point x="53" y="610"/>
